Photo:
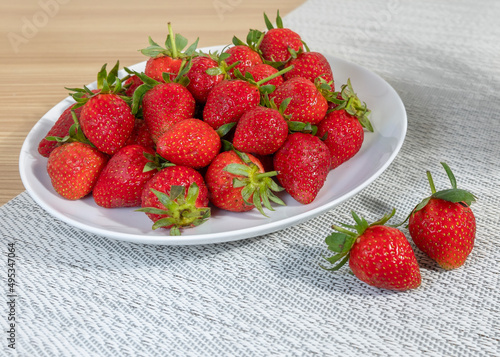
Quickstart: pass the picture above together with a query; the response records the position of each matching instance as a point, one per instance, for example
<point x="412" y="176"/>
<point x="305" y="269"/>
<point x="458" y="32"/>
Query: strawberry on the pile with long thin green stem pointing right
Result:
<point x="230" y="99"/>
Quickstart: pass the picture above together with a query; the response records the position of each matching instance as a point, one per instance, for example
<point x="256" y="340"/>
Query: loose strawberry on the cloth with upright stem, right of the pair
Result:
<point x="443" y="226"/>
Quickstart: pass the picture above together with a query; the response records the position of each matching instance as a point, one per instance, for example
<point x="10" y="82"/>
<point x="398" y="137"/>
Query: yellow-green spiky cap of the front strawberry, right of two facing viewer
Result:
<point x="258" y="187"/>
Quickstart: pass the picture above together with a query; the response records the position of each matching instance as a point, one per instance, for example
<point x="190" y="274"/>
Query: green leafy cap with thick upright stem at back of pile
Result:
<point x="174" y="45"/>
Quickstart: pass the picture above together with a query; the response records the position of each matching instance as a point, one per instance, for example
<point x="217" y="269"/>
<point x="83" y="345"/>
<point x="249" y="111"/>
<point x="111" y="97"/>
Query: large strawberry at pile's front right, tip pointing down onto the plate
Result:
<point x="303" y="164"/>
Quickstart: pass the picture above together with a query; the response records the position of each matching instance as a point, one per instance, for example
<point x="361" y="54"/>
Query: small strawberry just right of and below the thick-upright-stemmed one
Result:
<point x="203" y="76"/>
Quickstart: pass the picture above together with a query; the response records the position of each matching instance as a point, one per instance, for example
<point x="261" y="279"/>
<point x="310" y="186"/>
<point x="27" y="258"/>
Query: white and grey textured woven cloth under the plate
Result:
<point x="84" y="295"/>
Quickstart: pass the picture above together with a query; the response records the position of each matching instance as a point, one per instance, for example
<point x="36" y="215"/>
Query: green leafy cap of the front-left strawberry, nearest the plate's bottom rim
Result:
<point x="180" y="209"/>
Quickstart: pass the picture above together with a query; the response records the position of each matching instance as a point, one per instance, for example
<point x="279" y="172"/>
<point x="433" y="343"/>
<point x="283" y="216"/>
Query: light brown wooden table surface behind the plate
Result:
<point x="47" y="45"/>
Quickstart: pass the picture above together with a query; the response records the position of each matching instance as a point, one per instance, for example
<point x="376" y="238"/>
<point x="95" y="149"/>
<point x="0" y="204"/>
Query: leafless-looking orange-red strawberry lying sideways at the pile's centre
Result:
<point x="190" y="142"/>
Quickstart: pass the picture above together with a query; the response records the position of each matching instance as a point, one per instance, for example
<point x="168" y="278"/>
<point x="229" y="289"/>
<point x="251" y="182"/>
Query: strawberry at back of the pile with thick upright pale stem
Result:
<point x="167" y="59"/>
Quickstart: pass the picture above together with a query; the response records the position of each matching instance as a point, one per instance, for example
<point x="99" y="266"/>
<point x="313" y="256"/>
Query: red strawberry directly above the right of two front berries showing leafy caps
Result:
<point x="260" y="131"/>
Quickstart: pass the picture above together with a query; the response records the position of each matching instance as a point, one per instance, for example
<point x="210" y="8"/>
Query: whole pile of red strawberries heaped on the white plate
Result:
<point x="193" y="130"/>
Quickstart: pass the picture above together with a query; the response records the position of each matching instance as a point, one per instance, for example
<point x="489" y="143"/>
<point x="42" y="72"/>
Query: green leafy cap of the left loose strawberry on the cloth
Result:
<point x="342" y="241"/>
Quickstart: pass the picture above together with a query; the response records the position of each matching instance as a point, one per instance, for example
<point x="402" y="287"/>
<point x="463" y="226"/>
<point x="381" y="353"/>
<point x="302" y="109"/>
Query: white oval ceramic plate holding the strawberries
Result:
<point x="378" y="151"/>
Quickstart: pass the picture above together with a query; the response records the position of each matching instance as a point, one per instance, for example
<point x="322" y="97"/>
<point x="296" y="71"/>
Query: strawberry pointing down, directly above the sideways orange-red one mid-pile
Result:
<point x="163" y="104"/>
